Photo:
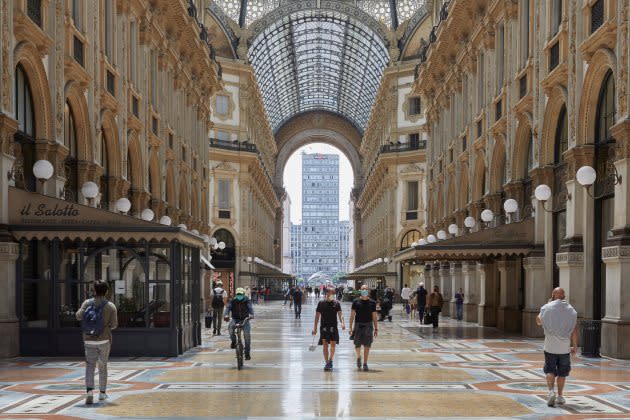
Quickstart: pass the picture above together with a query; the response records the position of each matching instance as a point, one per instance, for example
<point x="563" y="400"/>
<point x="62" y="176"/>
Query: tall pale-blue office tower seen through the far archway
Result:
<point x="320" y="215"/>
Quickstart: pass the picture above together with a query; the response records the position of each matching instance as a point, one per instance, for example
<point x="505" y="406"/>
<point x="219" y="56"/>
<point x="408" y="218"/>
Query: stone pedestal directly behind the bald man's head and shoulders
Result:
<point x="571" y="265"/>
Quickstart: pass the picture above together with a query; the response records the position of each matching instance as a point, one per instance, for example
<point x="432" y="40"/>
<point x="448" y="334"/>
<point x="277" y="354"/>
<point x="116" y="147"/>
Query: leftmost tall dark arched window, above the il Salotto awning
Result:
<point x="25" y="135"/>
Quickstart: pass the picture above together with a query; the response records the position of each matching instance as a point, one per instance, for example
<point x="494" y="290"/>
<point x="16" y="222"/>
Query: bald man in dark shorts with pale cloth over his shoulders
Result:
<point x="559" y="321"/>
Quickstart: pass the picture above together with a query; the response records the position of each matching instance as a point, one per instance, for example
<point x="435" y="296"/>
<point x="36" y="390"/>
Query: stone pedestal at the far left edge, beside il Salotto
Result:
<point x="9" y="324"/>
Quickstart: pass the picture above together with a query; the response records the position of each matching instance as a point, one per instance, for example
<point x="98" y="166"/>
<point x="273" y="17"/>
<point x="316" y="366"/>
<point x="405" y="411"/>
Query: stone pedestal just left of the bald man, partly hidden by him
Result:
<point x="535" y="294"/>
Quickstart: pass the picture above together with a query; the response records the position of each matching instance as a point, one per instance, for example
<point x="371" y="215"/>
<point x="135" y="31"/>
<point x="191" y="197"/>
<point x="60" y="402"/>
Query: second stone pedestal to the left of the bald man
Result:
<point x="508" y="313"/>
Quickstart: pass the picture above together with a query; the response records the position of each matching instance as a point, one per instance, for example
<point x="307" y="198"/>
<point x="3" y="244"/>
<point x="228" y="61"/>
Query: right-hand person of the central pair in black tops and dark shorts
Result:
<point x="363" y="325"/>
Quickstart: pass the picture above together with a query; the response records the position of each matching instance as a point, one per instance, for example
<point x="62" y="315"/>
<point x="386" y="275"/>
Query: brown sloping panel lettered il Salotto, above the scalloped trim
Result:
<point x="26" y="208"/>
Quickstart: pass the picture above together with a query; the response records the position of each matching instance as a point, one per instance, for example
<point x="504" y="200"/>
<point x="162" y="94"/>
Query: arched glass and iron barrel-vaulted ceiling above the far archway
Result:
<point x="318" y="60"/>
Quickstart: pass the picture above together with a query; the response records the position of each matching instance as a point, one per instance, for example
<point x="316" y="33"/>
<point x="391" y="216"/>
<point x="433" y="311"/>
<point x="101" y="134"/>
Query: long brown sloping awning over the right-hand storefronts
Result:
<point x="514" y="239"/>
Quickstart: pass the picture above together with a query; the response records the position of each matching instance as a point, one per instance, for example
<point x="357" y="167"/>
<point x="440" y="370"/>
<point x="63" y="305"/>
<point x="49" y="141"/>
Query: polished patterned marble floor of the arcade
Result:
<point x="459" y="370"/>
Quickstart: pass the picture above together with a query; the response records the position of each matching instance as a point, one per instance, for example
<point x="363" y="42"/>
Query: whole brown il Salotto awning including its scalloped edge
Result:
<point x="37" y="216"/>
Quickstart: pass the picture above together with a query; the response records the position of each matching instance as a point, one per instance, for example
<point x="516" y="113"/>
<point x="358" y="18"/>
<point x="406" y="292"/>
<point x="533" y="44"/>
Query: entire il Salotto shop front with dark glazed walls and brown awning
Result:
<point x="153" y="272"/>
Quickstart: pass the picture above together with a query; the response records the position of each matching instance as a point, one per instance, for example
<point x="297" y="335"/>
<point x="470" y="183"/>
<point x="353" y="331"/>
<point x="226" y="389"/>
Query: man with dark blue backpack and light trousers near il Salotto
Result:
<point x="98" y="318"/>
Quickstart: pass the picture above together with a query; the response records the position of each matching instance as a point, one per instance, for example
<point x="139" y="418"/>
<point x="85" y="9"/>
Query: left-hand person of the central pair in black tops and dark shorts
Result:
<point x="328" y="310"/>
